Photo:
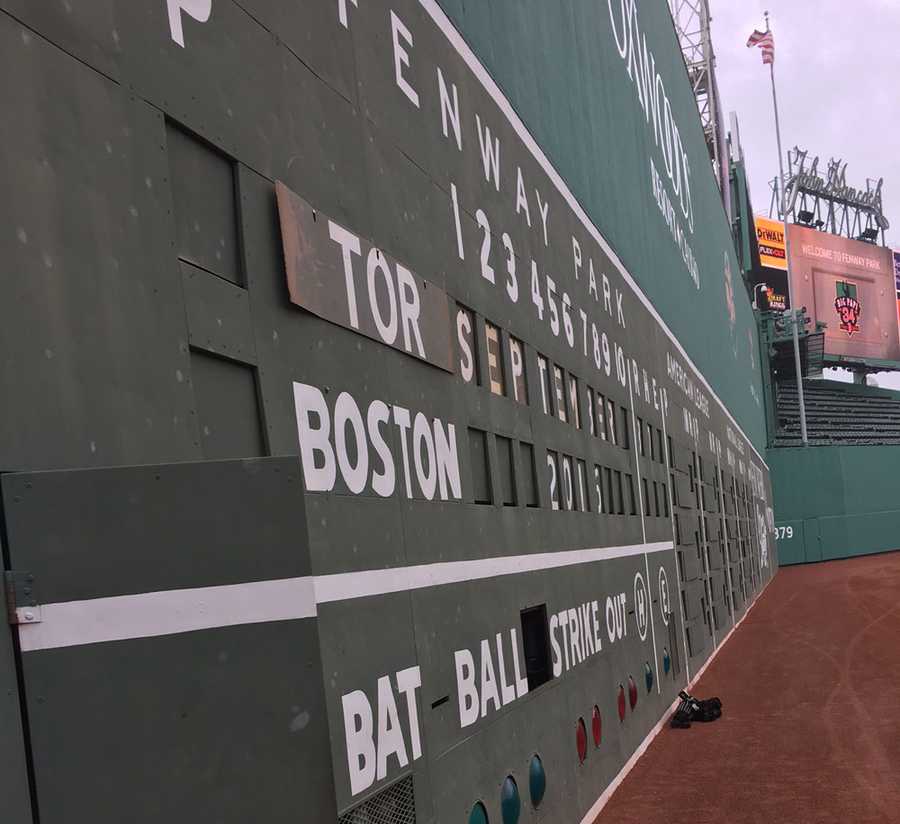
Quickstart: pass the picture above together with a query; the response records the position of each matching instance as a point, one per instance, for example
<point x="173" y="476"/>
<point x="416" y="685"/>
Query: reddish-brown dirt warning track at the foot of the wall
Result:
<point x="810" y="685"/>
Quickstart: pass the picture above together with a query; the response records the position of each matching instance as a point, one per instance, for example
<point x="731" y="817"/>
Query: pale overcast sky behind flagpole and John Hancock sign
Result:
<point x="837" y="72"/>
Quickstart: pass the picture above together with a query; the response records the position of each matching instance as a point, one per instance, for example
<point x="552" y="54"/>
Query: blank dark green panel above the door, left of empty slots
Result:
<point x="91" y="287"/>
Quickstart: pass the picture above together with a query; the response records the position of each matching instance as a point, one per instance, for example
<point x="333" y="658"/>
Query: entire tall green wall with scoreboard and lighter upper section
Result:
<point x="159" y="358"/>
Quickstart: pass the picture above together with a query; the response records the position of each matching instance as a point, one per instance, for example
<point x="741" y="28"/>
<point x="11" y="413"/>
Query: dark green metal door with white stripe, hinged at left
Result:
<point x="170" y="657"/>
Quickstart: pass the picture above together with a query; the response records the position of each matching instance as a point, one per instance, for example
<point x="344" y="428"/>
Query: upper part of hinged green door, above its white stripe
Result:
<point x="139" y="553"/>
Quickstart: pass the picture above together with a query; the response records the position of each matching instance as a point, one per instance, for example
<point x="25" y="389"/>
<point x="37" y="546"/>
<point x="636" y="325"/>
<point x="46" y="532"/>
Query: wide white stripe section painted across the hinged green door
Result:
<point x="151" y="614"/>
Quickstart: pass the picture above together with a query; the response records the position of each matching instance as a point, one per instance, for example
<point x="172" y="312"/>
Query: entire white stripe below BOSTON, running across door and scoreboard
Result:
<point x="151" y="614"/>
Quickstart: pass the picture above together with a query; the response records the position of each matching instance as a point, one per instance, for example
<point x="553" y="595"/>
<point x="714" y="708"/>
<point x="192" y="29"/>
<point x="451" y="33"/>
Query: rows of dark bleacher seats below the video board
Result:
<point x="837" y="414"/>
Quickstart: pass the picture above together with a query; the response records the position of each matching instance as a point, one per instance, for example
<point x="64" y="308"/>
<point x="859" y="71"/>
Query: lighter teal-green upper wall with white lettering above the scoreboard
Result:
<point x="603" y="143"/>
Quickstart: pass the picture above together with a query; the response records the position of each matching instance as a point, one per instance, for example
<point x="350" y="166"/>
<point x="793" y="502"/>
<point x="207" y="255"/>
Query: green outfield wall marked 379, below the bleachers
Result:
<point x="835" y="501"/>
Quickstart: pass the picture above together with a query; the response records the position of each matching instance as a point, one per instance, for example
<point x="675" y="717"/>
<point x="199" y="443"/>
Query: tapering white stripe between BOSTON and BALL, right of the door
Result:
<point x="346" y="585"/>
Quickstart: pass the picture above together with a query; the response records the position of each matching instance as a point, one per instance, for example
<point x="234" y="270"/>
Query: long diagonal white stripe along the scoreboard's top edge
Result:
<point x="456" y="40"/>
